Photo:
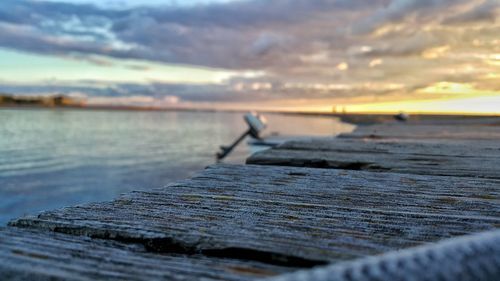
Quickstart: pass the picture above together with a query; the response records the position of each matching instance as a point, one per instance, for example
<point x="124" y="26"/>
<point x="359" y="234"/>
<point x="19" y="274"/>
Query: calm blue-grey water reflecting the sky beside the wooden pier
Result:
<point x="55" y="158"/>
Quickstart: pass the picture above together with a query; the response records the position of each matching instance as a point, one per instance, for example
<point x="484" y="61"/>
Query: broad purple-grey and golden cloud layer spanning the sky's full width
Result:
<point x="303" y="48"/>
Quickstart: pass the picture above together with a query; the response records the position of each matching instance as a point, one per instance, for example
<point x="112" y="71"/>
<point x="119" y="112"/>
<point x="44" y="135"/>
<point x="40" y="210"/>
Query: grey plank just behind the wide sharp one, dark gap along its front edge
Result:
<point x="465" y="158"/>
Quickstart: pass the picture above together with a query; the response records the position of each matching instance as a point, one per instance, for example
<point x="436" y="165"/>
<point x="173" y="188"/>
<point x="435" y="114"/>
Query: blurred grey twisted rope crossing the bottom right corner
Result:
<point x="470" y="258"/>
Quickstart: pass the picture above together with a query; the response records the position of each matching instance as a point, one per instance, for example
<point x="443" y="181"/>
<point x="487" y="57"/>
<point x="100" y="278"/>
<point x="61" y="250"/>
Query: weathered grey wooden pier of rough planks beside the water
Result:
<point x="301" y="205"/>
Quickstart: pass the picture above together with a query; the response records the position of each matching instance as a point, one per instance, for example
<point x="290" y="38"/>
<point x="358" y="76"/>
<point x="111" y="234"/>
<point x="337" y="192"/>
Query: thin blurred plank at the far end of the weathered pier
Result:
<point x="426" y="132"/>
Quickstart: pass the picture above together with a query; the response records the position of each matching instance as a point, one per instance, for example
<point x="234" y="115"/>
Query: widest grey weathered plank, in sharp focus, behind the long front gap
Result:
<point x="294" y="216"/>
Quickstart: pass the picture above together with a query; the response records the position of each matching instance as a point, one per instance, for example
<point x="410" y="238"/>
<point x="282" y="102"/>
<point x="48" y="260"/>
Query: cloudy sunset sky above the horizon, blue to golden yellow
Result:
<point x="430" y="56"/>
